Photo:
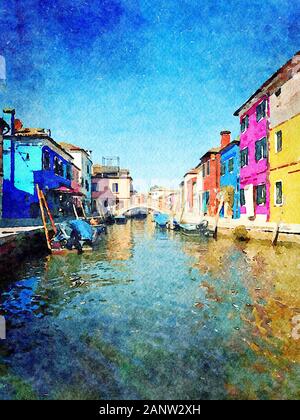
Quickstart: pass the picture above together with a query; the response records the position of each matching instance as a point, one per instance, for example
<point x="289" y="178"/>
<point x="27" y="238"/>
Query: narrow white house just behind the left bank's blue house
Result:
<point x="83" y="161"/>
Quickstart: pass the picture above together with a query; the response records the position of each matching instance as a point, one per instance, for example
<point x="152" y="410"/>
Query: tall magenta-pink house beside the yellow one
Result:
<point x="254" y="185"/>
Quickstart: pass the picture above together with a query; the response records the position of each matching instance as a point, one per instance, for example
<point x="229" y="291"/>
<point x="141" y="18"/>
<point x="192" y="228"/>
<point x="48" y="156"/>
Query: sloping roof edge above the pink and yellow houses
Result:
<point x="284" y="73"/>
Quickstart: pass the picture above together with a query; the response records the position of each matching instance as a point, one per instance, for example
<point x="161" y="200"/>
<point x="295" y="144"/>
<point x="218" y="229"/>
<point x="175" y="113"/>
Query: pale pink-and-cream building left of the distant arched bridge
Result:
<point x="111" y="188"/>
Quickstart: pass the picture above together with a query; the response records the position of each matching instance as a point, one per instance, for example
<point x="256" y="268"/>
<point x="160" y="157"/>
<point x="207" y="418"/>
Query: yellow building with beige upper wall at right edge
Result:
<point x="284" y="144"/>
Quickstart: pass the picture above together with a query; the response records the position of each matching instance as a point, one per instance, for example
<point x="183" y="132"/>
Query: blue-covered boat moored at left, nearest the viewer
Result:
<point x="75" y="236"/>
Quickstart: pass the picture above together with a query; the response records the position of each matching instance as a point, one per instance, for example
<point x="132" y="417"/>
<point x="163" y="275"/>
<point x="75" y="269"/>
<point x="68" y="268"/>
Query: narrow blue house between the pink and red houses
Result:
<point x="229" y="176"/>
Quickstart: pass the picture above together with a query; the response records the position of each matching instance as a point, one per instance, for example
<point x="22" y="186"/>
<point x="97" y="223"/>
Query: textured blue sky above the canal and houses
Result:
<point x="151" y="81"/>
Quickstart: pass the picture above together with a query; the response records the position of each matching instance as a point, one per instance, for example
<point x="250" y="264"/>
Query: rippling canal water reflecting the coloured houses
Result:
<point x="153" y="315"/>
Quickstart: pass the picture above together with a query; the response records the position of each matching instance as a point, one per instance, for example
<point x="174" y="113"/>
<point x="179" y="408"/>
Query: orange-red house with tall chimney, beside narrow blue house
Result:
<point x="211" y="169"/>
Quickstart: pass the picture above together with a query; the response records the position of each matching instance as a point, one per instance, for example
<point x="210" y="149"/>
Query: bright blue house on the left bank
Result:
<point x="32" y="157"/>
